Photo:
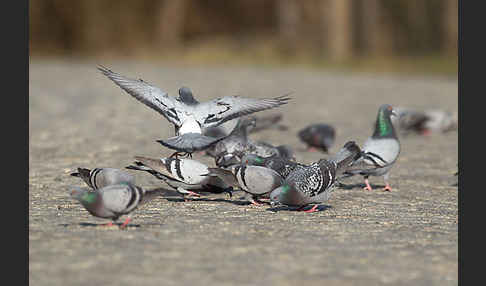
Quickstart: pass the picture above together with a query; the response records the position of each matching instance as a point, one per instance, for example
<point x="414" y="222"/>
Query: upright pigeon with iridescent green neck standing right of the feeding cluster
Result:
<point x="380" y="151"/>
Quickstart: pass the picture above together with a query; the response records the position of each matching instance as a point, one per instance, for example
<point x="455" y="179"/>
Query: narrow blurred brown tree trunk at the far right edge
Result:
<point x="450" y="27"/>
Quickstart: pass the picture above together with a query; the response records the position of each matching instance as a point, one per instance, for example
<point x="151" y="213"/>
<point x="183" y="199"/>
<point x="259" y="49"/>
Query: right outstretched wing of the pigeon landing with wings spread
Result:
<point x="219" y="110"/>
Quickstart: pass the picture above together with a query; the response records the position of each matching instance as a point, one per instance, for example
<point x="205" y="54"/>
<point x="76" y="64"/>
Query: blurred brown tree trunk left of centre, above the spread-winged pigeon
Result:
<point x="170" y="23"/>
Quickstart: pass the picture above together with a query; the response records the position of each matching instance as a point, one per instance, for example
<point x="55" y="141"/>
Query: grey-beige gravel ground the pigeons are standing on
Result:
<point x="78" y="118"/>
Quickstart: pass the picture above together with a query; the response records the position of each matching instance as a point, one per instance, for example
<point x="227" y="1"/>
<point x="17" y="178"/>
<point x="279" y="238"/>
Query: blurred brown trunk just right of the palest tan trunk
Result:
<point x="376" y="37"/>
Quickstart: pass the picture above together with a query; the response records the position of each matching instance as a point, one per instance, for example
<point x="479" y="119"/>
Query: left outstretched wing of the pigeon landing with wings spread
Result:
<point x="148" y="94"/>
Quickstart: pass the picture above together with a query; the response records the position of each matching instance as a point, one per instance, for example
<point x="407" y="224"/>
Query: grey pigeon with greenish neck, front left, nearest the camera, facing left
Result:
<point x="111" y="201"/>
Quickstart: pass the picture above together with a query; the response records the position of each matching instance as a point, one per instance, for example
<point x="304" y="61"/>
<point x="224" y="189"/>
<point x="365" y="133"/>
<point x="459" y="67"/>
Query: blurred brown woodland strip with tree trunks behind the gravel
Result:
<point x="408" y="36"/>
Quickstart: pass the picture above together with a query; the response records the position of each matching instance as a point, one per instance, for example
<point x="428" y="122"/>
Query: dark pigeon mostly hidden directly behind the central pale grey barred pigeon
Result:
<point x="282" y="166"/>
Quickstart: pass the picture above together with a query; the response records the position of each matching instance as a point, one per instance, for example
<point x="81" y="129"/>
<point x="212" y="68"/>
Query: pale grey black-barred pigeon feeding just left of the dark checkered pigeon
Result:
<point x="257" y="181"/>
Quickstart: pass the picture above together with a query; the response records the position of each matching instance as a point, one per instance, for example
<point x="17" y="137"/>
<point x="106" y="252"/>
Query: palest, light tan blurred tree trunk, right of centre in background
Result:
<point x="337" y="15"/>
